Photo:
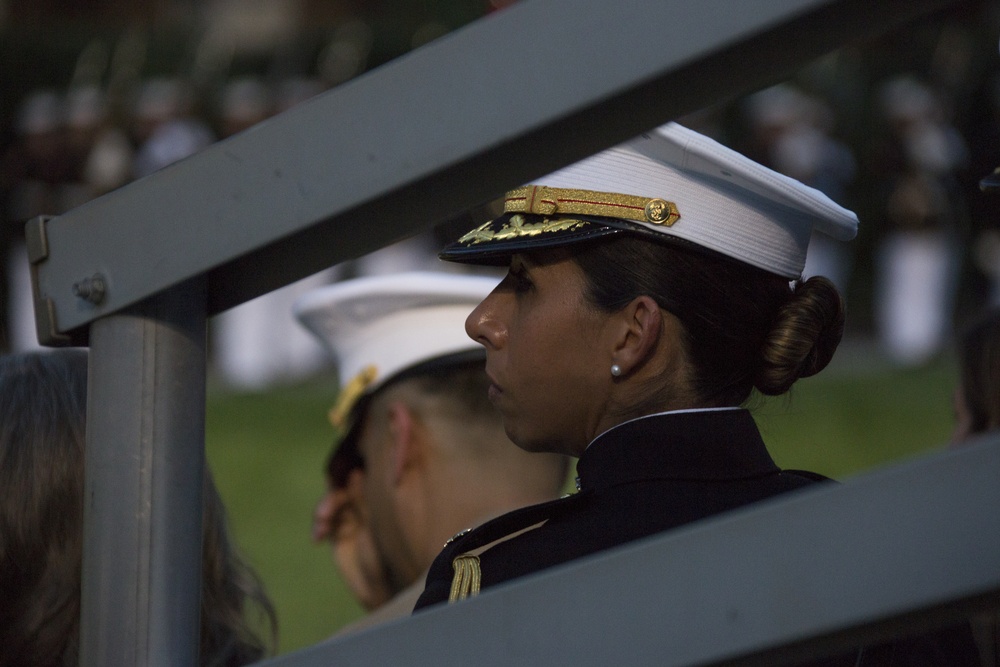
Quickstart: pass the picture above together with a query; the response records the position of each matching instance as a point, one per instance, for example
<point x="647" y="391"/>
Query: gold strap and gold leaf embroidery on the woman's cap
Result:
<point x="546" y="201"/>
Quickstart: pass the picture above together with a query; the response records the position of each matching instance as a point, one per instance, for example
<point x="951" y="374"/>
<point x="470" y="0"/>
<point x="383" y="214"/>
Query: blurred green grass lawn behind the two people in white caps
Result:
<point x="267" y="452"/>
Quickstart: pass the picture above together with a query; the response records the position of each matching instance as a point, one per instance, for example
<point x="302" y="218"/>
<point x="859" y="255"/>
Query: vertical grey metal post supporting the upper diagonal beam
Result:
<point x="143" y="483"/>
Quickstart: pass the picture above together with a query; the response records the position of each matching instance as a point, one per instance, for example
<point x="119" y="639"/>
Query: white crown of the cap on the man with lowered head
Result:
<point x="379" y="326"/>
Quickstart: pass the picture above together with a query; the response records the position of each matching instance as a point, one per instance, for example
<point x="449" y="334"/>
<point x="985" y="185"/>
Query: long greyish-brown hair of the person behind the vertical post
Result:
<point x="42" y="427"/>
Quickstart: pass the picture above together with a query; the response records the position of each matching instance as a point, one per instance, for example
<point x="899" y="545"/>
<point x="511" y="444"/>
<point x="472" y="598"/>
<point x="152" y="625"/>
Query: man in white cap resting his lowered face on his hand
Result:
<point x="421" y="452"/>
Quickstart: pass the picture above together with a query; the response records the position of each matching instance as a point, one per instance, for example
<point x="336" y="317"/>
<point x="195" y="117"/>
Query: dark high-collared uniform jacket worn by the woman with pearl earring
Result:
<point x="635" y="480"/>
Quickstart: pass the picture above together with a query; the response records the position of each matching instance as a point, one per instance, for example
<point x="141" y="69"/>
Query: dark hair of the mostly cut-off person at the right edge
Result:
<point x="979" y="371"/>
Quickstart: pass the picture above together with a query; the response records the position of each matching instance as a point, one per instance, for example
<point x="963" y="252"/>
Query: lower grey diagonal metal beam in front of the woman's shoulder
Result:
<point x="894" y="552"/>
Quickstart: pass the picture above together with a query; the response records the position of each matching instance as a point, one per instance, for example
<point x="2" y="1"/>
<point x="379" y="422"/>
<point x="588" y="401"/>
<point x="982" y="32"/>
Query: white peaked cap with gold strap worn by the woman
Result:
<point x="716" y="198"/>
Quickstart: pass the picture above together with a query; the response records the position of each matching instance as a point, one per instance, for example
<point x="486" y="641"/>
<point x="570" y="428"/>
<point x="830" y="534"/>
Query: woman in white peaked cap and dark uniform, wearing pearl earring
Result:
<point x="652" y="290"/>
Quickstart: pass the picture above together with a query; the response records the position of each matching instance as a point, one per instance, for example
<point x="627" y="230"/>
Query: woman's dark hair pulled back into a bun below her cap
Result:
<point x="744" y="327"/>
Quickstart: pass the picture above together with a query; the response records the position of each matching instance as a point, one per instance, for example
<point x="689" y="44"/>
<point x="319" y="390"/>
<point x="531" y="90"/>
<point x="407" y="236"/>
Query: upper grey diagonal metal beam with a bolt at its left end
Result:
<point x="449" y="126"/>
